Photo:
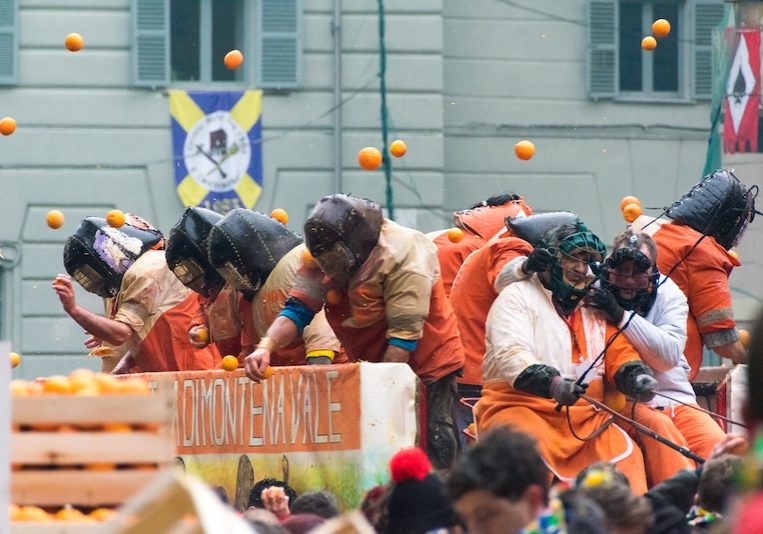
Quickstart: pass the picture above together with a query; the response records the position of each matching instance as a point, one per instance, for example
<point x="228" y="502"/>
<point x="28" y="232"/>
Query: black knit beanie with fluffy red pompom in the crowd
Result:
<point x="418" y="501"/>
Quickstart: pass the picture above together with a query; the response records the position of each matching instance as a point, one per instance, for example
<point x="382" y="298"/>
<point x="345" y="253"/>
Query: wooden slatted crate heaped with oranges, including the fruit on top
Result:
<point x="88" y="440"/>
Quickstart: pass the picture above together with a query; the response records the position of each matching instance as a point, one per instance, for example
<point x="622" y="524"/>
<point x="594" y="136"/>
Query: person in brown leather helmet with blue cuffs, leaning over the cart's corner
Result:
<point x="379" y="286"/>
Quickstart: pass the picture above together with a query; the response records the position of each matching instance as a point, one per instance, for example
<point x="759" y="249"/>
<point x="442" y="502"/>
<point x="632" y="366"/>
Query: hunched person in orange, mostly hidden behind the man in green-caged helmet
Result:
<point x="478" y="224"/>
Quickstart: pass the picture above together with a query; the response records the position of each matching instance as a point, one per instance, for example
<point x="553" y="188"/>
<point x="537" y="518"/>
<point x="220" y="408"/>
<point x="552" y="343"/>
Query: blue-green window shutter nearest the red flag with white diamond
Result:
<point x="707" y="15"/>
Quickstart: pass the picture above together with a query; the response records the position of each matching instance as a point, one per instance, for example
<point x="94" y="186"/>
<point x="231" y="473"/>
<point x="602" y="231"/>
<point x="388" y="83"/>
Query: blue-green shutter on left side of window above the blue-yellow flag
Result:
<point x="151" y="42"/>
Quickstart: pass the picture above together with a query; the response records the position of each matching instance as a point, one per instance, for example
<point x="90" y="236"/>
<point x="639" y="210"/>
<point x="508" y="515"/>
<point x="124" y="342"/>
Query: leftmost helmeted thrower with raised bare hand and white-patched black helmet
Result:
<point x="148" y="309"/>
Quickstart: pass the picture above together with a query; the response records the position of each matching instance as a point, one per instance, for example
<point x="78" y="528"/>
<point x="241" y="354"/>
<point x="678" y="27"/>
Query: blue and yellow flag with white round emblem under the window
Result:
<point x="216" y="144"/>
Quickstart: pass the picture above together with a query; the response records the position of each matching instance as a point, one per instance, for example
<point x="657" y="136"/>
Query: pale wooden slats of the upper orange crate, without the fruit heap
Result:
<point x="55" y="463"/>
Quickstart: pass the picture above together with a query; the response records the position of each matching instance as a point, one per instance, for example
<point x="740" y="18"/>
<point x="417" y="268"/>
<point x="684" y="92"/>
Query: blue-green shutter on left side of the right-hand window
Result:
<point x="602" y="49"/>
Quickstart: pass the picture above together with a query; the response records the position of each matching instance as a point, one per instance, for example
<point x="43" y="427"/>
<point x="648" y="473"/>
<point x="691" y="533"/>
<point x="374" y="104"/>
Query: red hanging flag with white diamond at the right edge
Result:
<point x="740" y="123"/>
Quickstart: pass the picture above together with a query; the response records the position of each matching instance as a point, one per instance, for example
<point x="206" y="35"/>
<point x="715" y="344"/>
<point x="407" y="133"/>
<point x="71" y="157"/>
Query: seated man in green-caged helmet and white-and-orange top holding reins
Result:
<point x="543" y="351"/>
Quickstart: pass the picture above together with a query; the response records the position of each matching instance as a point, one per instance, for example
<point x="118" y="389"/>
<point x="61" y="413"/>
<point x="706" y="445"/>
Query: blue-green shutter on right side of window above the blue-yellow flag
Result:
<point x="279" y="37"/>
